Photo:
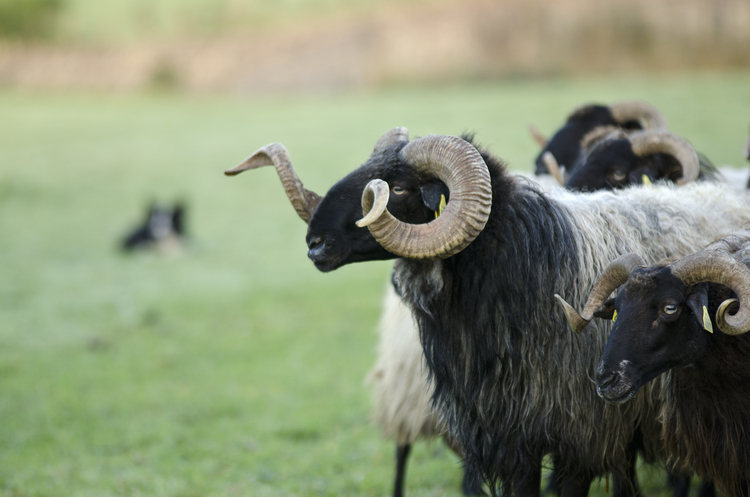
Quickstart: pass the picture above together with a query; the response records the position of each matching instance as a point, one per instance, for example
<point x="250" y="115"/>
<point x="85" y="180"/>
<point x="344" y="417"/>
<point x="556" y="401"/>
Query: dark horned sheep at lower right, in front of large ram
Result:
<point x="667" y="319"/>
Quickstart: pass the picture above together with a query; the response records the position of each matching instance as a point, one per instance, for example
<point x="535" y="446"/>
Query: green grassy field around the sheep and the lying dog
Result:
<point x="236" y="368"/>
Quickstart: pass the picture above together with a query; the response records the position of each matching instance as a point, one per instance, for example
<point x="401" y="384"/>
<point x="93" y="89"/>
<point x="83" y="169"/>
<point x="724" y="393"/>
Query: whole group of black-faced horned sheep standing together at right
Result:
<point x="480" y="338"/>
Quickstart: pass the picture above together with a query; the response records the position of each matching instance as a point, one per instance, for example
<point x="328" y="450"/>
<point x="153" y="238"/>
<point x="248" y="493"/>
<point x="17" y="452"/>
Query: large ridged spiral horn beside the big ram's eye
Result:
<point x="460" y="166"/>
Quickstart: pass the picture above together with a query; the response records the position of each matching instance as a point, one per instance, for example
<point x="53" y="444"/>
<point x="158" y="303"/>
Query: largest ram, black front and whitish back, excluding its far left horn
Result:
<point x="480" y="281"/>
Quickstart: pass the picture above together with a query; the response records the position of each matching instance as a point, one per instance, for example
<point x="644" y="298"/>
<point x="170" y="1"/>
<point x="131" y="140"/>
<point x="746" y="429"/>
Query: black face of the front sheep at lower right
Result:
<point x="659" y="324"/>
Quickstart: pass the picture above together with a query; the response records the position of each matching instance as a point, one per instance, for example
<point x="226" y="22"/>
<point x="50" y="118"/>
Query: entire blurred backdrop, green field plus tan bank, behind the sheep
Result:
<point x="226" y="364"/>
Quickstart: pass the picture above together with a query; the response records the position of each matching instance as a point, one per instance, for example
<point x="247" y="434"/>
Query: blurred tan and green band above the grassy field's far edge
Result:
<point x="236" y="45"/>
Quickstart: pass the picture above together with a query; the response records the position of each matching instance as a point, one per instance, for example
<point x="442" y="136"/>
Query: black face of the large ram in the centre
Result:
<point x="334" y="239"/>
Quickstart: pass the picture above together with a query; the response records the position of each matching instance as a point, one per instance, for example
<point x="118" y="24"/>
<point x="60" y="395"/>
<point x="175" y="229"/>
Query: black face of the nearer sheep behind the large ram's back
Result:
<point x="611" y="164"/>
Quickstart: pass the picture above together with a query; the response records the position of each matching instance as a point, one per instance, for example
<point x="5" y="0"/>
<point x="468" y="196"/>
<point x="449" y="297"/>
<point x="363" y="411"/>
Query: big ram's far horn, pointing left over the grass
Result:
<point x="275" y="154"/>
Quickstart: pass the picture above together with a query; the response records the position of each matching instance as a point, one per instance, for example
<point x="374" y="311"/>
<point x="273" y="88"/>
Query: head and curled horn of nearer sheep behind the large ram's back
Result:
<point x="613" y="159"/>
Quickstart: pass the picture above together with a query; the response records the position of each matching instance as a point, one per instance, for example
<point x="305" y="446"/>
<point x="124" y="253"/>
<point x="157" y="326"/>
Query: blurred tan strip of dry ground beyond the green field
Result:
<point x="420" y="42"/>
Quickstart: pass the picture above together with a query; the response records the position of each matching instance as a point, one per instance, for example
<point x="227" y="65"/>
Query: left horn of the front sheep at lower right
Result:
<point x="613" y="276"/>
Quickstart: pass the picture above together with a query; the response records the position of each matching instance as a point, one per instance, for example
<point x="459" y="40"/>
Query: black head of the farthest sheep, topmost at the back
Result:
<point x="565" y="144"/>
